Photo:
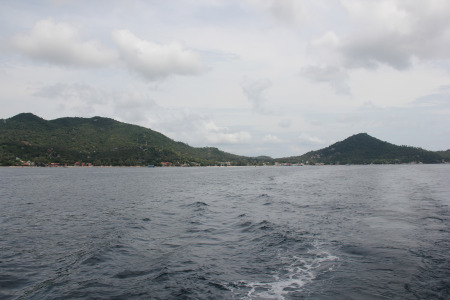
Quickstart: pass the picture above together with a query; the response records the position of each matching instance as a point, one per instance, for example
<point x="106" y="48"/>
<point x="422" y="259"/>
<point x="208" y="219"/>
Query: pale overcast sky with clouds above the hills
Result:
<point x="250" y="77"/>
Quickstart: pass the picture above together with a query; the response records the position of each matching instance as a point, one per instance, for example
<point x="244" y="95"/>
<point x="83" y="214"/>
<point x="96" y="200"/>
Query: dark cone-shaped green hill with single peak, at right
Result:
<point x="364" y="149"/>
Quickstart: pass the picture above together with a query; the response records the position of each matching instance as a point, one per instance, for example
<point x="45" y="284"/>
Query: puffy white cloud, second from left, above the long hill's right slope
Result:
<point x="156" y="61"/>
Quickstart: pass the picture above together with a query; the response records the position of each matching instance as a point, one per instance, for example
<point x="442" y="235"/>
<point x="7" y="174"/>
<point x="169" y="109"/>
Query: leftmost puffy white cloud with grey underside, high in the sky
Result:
<point x="61" y="44"/>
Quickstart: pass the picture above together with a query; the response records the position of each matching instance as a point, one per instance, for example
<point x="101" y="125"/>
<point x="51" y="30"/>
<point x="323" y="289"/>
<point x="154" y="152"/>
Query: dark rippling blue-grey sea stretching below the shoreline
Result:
<point x="331" y="232"/>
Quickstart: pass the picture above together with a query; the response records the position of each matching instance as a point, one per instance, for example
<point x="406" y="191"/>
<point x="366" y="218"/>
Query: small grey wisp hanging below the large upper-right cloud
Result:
<point x="337" y="77"/>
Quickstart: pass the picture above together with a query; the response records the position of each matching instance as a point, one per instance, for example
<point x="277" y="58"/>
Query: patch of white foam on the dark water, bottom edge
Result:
<point x="298" y="272"/>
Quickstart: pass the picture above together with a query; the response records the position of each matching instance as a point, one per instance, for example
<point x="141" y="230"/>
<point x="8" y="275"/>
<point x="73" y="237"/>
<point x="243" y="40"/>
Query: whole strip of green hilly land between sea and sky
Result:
<point x="29" y="139"/>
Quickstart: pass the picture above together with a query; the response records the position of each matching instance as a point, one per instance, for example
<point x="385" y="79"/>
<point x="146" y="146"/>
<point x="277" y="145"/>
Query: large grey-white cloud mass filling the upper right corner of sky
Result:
<point x="393" y="33"/>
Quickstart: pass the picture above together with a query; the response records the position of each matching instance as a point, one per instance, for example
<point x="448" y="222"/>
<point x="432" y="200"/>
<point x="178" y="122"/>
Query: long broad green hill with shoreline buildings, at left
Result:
<point x="99" y="141"/>
